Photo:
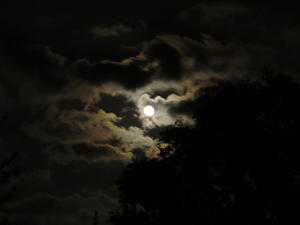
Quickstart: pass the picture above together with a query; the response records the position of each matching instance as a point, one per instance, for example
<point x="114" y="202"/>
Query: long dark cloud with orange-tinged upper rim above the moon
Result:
<point x="167" y="57"/>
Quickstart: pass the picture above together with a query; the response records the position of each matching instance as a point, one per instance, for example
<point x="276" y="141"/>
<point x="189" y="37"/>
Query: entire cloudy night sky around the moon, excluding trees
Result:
<point x="75" y="76"/>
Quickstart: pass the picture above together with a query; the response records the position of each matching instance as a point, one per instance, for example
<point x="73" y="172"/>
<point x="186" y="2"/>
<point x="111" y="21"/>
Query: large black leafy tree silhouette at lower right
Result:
<point x="238" y="165"/>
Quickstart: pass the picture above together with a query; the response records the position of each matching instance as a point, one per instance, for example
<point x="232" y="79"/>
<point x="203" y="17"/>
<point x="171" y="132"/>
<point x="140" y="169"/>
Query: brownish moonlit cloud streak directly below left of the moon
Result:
<point x="97" y="129"/>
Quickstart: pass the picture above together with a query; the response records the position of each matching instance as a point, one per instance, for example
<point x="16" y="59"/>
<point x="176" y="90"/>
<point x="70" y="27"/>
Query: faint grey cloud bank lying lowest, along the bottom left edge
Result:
<point x="43" y="208"/>
